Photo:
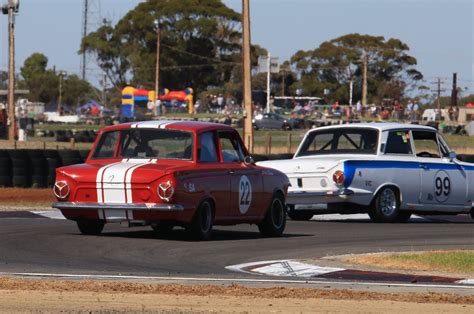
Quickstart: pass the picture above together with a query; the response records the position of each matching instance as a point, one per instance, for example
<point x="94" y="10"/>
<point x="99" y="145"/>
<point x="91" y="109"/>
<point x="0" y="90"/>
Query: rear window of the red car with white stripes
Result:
<point x="145" y="143"/>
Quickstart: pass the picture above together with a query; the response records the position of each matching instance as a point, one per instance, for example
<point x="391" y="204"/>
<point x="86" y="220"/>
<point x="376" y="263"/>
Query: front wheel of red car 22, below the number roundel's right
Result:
<point x="274" y="222"/>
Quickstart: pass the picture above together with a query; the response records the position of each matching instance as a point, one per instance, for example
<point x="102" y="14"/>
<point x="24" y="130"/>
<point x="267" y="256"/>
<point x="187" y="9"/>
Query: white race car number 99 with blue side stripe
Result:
<point x="387" y="170"/>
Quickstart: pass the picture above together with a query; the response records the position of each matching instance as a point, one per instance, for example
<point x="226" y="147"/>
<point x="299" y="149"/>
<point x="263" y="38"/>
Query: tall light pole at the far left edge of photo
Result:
<point x="11" y="71"/>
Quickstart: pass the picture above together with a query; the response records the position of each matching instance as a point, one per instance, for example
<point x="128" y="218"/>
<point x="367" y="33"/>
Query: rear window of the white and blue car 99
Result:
<point x="340" y="141"/>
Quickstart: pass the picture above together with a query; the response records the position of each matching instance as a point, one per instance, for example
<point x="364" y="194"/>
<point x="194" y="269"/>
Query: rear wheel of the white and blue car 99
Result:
<point x="386" y="206"/>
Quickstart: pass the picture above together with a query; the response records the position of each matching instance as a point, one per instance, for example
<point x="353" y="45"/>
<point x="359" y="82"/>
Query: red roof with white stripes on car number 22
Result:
<point x="192" y="126"/>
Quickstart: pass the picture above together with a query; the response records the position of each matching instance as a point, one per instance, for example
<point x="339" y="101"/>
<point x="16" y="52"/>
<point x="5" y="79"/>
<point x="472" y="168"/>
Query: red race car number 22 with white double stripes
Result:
<point x="166" y="174"/>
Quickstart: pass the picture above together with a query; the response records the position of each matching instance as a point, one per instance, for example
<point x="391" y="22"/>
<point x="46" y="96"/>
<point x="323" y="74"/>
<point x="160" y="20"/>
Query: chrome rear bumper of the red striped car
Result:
<point x="107" y="206"/>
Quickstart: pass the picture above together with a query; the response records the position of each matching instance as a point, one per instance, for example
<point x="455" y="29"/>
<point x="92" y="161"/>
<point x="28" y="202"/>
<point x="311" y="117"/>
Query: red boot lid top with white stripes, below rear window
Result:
<point x="141" y="172"/>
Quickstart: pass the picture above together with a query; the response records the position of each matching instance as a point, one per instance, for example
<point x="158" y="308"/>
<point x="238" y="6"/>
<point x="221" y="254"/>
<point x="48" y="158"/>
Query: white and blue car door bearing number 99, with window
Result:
<point x="443" y="182"/>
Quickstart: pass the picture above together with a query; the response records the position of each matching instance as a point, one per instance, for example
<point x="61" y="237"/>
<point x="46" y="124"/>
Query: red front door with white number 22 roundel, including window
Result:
<point x="246" y="180"/>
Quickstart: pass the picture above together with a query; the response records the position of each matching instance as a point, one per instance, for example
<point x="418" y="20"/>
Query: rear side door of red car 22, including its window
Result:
<point x="212" y="176"/>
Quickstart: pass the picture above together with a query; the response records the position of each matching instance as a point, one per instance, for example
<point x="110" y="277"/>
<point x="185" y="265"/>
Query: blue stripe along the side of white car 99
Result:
<point x="350" y="167"/>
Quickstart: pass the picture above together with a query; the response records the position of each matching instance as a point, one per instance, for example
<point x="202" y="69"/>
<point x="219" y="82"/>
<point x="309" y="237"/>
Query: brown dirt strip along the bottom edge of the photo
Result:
<point x="20" y="295"/>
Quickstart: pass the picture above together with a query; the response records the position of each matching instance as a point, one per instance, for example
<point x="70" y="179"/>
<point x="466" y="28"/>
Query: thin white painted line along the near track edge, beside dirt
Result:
<point x="239" y="280"/>
